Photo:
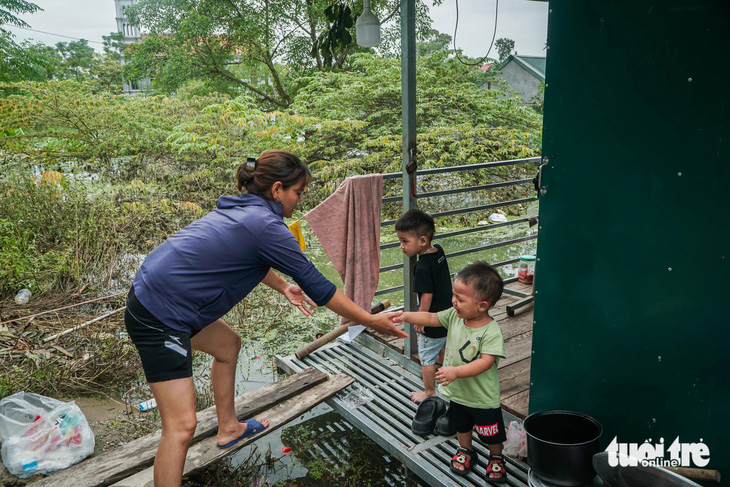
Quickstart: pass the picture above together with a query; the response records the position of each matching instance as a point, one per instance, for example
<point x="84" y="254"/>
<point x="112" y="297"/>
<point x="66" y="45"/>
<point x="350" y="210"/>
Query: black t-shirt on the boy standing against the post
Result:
<point x="432" y="276"/>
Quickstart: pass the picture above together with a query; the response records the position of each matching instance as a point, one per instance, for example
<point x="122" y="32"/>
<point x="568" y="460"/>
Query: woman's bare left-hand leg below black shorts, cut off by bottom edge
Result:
<point x="176" y="403"/>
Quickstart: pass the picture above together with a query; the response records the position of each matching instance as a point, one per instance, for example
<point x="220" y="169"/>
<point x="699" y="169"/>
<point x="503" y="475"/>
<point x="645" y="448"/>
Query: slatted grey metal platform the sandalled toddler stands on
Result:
<point x="386" y="417"/>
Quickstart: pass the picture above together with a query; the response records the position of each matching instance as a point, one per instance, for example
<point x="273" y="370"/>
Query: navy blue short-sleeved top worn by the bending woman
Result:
<point x="199" y="274"/>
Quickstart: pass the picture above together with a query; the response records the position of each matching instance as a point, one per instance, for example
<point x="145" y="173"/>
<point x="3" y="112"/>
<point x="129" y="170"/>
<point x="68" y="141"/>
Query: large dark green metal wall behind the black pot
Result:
<point x="632" y="312"/>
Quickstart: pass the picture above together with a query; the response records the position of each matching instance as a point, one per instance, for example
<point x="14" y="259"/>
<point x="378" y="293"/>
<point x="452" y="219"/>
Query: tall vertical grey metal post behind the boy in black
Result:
<point x="408" y="101"/>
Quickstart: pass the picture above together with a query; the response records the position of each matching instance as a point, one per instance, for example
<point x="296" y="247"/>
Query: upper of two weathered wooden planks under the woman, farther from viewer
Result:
<point x="113" y="465"/>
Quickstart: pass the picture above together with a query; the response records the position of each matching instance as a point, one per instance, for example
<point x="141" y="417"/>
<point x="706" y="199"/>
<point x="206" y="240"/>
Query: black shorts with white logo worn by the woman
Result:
<point x="165" y="352"/>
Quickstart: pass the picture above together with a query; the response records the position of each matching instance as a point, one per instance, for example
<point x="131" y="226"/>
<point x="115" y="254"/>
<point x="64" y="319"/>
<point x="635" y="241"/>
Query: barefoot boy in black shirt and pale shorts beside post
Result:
<point x="432" y="282"/>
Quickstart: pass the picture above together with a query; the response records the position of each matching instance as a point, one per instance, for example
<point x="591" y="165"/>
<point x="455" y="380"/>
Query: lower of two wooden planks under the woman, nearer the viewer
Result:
<point x="206" y="451"/>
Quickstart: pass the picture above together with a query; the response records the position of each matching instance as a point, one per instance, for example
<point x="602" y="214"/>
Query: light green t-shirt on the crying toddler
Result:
<point x="464" y="345"/>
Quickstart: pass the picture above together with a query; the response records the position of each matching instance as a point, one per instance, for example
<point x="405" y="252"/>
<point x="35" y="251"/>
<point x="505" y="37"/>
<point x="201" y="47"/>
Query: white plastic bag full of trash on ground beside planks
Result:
<point x="42" y="435"/>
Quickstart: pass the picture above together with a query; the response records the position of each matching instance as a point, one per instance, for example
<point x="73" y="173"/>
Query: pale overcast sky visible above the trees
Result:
<point x="524" y="21"/>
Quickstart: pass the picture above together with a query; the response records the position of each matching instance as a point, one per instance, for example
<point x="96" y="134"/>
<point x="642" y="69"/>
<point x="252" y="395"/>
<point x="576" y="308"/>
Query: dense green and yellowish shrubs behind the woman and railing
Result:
<point x="91" y="182"/>
